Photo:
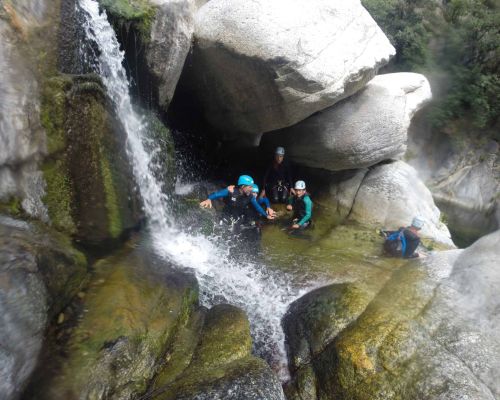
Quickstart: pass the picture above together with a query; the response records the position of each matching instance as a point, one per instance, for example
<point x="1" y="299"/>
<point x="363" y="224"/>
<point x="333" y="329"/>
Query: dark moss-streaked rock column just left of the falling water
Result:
<point x="89" y="190"/>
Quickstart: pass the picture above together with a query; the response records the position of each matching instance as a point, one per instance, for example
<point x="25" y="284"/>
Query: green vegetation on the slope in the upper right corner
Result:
<point x="456" y="45"/>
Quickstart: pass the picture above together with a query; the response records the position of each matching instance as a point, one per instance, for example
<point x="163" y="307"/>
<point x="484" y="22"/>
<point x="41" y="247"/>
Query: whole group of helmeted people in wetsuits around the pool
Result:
<point x="245" y="205"/>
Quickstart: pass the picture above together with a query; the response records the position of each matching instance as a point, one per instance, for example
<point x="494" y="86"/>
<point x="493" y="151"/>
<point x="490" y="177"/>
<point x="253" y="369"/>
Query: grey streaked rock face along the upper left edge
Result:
<point x="22" y="140"/>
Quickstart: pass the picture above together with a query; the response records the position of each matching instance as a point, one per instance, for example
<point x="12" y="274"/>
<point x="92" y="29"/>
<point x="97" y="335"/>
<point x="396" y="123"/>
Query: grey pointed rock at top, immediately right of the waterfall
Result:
<point x="156" y="35"/>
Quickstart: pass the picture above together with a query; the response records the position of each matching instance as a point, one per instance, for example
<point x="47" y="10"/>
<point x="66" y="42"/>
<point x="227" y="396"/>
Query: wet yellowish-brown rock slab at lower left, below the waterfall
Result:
<point x="131" y="314"/>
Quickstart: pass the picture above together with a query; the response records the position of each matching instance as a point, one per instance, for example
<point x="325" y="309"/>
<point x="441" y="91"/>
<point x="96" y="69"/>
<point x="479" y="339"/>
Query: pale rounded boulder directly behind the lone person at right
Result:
<point x="390" y="195"/>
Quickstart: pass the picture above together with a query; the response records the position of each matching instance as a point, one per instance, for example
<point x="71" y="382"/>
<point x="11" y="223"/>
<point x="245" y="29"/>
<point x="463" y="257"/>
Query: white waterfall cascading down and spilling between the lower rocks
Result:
<point x="262" y="294"/>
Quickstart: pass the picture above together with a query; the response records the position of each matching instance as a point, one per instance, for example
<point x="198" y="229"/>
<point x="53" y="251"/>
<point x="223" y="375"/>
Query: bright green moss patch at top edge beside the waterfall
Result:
<point x="139" y="13"/>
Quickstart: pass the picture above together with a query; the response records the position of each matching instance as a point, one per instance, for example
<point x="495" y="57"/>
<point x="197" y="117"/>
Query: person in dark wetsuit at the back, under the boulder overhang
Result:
<point x="278" y="179"/>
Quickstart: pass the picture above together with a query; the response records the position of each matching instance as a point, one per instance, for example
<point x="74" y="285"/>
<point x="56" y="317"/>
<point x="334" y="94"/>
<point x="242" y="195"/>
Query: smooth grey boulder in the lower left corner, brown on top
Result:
<point x="39" y="273"/>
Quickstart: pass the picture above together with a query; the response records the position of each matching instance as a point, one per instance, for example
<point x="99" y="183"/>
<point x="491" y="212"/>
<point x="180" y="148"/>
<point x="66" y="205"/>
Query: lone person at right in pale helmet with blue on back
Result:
<point x="405" y="241"/>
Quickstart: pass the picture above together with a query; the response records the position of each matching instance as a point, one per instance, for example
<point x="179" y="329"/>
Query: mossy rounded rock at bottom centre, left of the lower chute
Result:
<point x="222" y="365"/>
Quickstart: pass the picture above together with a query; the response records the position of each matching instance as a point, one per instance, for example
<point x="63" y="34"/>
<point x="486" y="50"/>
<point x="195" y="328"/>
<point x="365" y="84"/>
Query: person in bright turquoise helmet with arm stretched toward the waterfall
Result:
<point x="237" y="201"/>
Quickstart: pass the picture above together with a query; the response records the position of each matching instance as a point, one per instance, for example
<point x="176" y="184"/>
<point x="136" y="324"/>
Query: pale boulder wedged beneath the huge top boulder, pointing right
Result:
<point x="369" y="127"/>
